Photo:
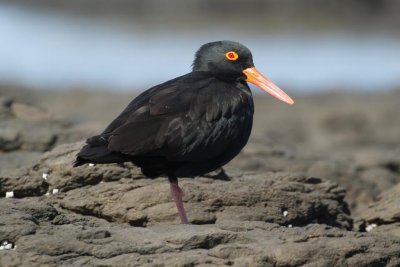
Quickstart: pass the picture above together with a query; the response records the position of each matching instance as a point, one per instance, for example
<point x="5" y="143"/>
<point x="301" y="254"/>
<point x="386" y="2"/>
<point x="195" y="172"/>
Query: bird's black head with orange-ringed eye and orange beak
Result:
<point x="230" y="61"/>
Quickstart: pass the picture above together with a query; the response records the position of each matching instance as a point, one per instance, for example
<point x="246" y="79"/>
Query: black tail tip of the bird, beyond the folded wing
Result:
<point x="96" y="151"/>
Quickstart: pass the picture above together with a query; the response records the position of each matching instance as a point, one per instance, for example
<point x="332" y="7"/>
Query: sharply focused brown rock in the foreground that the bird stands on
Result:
<point x="110" y="215"/>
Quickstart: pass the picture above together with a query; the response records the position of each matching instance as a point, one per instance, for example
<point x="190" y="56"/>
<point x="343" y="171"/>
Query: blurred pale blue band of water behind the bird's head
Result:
<point x="41" y="49"/>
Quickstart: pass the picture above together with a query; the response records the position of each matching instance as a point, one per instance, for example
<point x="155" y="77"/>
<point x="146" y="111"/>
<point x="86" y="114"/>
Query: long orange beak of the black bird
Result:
<point x="255" y="77"/>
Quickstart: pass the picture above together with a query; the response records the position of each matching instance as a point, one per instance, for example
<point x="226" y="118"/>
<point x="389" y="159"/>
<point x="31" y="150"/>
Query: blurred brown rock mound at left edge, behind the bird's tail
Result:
<point x="26" y="131"/>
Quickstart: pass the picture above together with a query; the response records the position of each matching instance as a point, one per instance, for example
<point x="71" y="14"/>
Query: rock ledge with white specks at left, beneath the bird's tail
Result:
<point x="56" y="166"/>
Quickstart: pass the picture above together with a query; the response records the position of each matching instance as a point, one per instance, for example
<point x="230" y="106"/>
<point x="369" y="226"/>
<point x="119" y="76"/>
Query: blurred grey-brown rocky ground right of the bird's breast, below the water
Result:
<point x="351" y="139"/>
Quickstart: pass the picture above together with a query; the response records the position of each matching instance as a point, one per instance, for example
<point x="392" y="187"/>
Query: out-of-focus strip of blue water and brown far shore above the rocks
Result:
<point x="303" y="45"/>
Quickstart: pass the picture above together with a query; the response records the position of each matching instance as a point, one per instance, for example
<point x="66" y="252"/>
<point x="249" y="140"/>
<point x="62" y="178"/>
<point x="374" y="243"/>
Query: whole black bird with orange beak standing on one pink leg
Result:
<point x="189" y="125"/>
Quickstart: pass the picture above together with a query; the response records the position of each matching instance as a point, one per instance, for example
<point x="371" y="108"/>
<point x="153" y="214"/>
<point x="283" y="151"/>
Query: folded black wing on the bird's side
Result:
<point x="187" y="118"/>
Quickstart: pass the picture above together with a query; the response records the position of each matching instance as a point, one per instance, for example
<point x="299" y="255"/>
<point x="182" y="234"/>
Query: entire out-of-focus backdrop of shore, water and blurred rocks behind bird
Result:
<point x="67" y="68"/>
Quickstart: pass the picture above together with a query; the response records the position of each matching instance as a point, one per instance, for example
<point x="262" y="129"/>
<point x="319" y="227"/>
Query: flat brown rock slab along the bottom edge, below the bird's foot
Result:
<point x="232" y="243"/>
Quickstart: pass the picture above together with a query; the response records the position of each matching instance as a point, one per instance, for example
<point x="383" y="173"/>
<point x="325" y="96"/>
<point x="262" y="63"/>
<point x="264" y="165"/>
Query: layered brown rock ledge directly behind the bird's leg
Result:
<point x="251" y="197"/>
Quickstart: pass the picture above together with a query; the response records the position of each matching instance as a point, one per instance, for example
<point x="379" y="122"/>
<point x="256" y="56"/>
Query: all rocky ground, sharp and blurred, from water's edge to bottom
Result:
<point x="282" y="202"/>
